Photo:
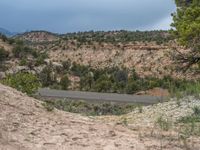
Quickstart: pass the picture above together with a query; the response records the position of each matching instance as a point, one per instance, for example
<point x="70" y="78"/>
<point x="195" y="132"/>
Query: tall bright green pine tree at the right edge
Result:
<point x="187" y="30"/>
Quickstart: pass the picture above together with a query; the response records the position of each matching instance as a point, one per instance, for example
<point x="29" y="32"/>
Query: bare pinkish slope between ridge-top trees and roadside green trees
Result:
<point x="148" y="59"/>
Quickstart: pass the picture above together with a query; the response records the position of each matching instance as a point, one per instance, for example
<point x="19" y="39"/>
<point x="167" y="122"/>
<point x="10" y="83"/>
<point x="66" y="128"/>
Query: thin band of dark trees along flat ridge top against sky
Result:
<point x="119" y="36"/>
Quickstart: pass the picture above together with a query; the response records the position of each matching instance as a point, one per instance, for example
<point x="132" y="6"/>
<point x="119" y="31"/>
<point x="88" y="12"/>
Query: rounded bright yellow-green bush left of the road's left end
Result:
<point x="25" y="82"/>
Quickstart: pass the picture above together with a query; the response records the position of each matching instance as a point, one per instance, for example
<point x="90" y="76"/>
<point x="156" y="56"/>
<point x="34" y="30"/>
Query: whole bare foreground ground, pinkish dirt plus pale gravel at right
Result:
<point x="26" y="125"/>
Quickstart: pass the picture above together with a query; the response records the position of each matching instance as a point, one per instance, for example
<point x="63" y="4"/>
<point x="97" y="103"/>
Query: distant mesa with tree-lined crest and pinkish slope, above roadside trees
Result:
<point x="149" y="53"/>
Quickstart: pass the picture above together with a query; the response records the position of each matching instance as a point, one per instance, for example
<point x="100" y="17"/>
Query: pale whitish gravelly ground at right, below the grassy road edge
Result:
<point x="172" y="110"/>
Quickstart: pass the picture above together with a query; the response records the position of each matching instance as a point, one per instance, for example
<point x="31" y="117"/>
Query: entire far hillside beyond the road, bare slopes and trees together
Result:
<point x="113" y="62"/>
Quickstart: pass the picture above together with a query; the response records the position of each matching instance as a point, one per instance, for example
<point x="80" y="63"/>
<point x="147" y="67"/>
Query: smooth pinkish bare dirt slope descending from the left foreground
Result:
<point x="26" y="125"/>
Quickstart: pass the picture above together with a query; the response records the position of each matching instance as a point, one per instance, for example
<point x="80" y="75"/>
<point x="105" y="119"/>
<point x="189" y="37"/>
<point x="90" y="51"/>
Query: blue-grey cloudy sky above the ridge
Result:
<point x="63" y="16"/>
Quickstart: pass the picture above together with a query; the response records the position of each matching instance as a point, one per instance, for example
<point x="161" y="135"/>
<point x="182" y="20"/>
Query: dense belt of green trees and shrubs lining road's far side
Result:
<point x="114" y="80"/>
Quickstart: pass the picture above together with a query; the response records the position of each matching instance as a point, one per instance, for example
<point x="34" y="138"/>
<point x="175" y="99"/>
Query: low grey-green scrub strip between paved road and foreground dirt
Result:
<point x="91" y="109"/>
